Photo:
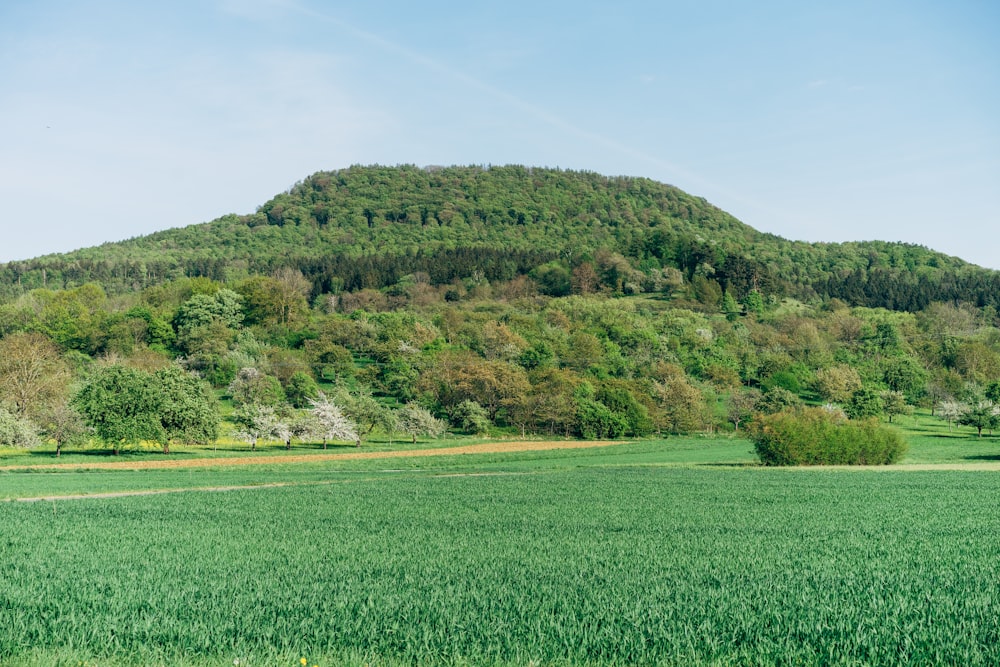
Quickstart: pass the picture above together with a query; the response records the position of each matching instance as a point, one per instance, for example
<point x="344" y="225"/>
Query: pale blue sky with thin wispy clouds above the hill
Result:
<point x="817" y="121"/>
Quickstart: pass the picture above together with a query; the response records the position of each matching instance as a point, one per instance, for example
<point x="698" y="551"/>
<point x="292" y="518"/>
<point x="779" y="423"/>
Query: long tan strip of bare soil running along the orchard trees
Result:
<point x="485" y="448"/>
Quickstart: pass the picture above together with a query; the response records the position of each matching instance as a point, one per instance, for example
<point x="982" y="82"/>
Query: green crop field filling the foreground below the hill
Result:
<point x="644" y="553"/>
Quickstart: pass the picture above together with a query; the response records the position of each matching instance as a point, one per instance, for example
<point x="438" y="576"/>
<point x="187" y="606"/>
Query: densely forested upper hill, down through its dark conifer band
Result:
<point x="371" y="227"/>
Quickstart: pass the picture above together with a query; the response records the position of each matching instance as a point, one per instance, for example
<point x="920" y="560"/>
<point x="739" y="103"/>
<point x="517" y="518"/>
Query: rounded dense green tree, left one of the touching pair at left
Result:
<point x="122" y="405"/>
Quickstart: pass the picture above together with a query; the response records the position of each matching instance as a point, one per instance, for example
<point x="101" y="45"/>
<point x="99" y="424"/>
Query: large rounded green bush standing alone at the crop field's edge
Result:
<point x="813" y="436"/>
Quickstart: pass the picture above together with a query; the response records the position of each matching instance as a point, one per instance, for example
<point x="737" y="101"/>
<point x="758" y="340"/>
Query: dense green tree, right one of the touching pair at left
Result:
<point x="187" y="407"/>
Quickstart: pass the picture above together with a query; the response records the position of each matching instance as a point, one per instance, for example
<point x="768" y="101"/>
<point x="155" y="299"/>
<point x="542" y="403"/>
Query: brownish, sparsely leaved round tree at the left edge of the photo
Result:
<point x="33" y="374"/>
